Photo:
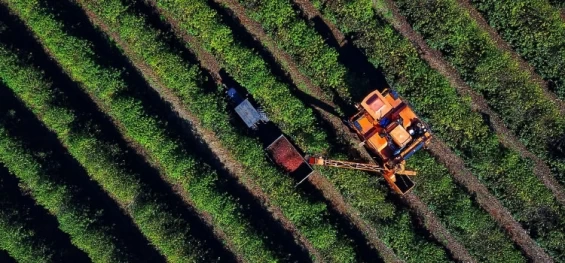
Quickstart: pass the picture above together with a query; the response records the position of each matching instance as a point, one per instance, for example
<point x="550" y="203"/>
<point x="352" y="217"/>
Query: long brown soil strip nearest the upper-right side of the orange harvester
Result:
<point x="436" y="61"/>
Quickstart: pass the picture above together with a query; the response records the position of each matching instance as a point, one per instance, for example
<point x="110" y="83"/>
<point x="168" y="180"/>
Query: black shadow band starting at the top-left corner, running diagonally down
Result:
<point x="88" y="113"/>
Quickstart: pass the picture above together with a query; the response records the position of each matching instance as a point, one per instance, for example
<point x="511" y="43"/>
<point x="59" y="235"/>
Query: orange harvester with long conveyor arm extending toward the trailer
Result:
<point x="388" y="127"/>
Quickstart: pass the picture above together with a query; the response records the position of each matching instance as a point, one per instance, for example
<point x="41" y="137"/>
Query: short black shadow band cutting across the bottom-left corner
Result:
<point x="38" y="219"/>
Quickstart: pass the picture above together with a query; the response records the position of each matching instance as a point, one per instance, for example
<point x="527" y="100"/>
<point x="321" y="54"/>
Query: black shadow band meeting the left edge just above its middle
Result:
<point x="63" y="169"/>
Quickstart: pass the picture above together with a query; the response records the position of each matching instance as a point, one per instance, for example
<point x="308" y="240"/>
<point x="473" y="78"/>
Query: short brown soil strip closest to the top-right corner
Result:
<point x="503" y="45"/>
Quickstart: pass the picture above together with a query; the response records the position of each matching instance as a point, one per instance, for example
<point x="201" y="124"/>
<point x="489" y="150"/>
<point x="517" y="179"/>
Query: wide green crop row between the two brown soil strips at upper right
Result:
<point x="509" y="91"/>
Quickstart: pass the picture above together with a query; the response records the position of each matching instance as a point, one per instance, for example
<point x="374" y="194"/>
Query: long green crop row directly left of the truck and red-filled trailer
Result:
<point x="185" y="81"/>
